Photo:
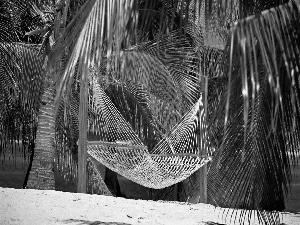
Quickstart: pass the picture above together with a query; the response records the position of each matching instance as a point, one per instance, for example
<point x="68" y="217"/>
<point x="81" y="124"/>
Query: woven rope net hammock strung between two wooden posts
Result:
<point x="174" y="158"/>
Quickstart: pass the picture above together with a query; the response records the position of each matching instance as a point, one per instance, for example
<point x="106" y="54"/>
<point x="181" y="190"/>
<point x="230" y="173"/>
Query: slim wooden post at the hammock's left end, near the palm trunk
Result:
<point x="82" y="146"/>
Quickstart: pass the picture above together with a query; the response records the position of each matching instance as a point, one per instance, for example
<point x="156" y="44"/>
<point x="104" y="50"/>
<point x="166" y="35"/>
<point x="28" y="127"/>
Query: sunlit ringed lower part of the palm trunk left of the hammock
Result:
<point x="42" y="173"/>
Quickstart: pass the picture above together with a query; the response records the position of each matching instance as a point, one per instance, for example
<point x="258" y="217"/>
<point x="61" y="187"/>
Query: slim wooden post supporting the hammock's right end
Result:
<point x="203" y="140"/>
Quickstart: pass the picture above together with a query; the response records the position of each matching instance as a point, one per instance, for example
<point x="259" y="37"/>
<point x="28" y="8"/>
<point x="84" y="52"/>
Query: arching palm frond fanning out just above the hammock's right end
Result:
<point x="177" y="57"/>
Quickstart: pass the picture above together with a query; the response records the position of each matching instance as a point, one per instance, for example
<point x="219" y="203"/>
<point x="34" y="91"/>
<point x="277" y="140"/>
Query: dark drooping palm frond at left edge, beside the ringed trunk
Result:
<point x="20" y="92"/>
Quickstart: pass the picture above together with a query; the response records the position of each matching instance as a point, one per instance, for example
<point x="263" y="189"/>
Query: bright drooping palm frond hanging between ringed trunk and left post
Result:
<point x="81" y="46"/>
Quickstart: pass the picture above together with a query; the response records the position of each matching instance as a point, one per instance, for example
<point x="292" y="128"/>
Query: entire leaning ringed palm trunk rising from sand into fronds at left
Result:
<point x="41" y="174"/>
